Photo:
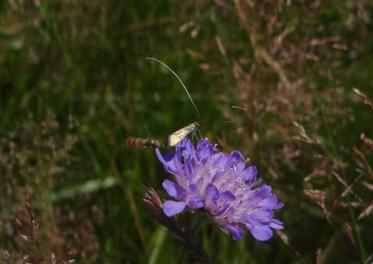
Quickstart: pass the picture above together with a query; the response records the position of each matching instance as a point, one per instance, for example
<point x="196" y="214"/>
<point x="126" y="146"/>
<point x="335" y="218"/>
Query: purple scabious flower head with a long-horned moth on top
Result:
<point x="221" y="185"/>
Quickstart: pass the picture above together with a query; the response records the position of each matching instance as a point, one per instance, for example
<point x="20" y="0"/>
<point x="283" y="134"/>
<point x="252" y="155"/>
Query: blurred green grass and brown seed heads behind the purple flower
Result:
<point x="74" y="83"/>
